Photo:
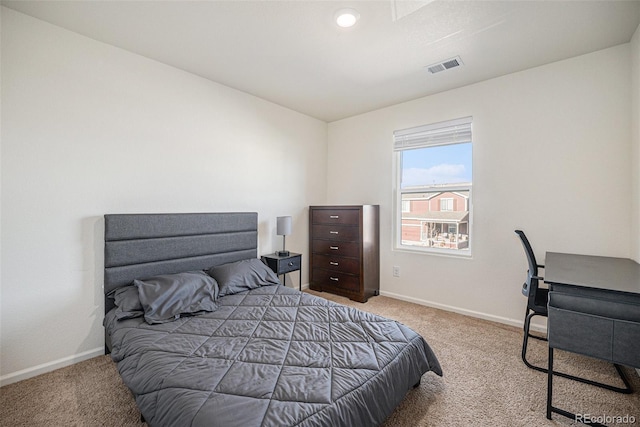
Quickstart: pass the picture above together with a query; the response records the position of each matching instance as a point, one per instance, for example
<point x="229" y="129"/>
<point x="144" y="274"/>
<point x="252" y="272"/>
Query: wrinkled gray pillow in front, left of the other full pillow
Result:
<point x="167" y="297"/>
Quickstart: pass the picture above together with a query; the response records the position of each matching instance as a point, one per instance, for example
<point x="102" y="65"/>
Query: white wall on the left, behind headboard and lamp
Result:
<point x="89" y="129"/>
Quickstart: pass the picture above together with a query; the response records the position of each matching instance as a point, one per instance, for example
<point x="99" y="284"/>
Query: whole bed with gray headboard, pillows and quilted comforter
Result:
<point x="204" y="334"/>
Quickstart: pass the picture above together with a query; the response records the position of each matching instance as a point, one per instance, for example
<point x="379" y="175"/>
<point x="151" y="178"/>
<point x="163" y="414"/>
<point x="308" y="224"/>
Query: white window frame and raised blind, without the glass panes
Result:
<point x="442" y="133"/>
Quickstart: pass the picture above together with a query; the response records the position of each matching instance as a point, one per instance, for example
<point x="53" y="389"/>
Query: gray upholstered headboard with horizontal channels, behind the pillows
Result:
<point x="137" y="246"/>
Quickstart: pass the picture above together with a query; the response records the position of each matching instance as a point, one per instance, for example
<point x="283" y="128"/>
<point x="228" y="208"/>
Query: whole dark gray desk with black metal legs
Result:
<point x="594" y="310"/>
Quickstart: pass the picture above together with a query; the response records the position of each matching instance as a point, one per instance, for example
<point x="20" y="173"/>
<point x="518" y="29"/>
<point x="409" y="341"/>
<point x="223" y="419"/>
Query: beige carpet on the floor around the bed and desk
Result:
<point x="485" y="383"/>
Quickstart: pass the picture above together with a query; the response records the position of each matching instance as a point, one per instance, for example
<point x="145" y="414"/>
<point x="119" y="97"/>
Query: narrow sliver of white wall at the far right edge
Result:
<point x="635" y="140"/>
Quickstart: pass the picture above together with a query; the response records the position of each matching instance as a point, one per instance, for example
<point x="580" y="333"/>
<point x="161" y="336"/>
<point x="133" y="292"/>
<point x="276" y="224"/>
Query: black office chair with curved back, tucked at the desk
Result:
<point x="537" y="300"/>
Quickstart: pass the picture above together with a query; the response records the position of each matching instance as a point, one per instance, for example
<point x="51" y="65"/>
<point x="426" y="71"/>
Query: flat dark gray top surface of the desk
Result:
<point x="616" y="274"/>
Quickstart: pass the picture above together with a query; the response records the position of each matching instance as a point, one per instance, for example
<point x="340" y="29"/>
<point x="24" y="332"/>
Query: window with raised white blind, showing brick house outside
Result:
<point x="433" y="187"/>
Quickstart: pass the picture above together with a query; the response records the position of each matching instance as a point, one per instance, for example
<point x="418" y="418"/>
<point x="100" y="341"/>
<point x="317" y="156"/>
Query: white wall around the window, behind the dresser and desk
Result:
<point x="551" y="156"/>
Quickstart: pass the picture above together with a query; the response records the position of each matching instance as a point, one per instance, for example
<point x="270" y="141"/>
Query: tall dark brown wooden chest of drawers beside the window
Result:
<point x="345" y="250"/>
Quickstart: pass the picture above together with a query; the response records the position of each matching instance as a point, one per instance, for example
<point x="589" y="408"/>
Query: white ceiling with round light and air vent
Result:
<point x="293" y="54"/>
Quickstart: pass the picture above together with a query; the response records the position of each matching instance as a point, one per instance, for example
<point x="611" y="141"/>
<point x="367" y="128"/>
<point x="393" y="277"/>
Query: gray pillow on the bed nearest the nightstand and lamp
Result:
<point x="242" y="275"/>
